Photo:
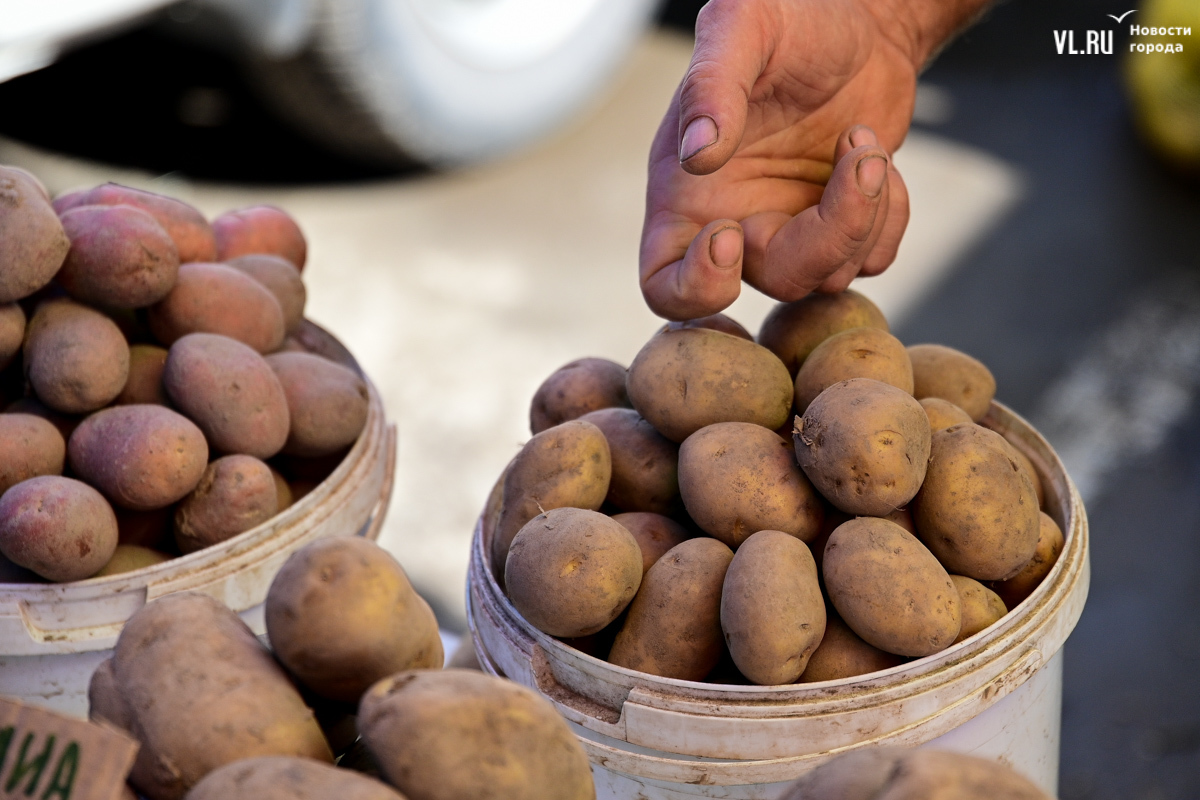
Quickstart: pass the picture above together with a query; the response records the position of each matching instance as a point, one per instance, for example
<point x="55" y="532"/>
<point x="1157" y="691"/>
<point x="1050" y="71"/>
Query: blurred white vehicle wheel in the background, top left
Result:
<point x="447" y="82"/>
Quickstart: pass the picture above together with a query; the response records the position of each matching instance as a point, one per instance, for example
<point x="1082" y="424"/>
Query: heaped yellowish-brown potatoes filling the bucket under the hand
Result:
<point x="817" y="504"/>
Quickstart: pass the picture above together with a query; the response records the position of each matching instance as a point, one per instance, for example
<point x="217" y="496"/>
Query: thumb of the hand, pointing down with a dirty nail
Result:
<point x="730" y="56"/>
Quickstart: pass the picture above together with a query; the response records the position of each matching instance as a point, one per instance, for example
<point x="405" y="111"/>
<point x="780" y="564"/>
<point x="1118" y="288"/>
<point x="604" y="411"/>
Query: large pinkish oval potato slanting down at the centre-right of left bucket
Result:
<point x="232" y="394"/>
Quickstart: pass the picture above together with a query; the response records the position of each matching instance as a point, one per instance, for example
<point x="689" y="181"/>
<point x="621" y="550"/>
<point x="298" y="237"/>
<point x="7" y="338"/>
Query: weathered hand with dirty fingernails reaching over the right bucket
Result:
<point x="773" y="164"/>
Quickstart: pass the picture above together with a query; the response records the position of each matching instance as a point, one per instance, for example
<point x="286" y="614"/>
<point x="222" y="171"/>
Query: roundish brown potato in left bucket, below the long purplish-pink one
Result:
<point x="76" y="359"/>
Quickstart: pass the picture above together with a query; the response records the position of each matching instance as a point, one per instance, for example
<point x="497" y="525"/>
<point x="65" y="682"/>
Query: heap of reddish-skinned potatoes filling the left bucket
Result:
<point x="161" y="388"/>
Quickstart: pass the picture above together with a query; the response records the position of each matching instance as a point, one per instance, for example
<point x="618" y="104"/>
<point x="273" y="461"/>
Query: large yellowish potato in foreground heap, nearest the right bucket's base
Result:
<point x="459" y="733"/>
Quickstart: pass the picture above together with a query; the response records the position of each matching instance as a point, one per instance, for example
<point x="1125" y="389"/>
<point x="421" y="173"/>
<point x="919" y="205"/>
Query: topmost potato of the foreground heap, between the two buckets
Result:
<point x="341" y="616"/>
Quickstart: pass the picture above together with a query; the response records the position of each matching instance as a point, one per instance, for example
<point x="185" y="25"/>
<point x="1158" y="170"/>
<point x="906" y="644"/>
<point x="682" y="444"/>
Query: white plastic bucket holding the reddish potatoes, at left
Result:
<point x="53" y="636"/>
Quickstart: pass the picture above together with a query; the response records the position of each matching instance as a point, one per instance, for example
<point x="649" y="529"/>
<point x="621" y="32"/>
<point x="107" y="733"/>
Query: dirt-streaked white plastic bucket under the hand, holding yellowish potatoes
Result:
<point x="998" y="694"/>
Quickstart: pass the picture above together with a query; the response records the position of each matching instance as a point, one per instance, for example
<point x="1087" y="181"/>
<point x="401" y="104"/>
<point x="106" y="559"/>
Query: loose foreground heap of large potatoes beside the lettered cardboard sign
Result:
<point x="353" y="675"/>
